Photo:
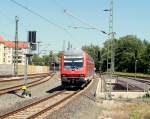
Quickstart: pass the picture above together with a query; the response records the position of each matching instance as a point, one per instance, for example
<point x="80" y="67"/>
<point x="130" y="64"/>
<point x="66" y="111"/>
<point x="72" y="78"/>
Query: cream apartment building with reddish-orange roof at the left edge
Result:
<point x="7" y="51"/>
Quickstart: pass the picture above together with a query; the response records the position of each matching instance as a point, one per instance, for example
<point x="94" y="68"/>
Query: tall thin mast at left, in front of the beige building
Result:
<point x="16" y="48"/>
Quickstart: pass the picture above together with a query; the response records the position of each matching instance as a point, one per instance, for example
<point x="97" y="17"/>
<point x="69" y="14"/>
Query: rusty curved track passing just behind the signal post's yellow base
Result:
<point x="18" y="87"/>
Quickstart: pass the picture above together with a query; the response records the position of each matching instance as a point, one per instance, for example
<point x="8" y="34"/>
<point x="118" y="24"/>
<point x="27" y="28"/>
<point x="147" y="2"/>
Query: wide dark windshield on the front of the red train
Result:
<point x="73" y="64"/>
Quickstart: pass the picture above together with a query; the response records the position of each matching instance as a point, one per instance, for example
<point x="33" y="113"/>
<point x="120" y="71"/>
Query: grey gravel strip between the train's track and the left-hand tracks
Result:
<point x="11" y="101"/>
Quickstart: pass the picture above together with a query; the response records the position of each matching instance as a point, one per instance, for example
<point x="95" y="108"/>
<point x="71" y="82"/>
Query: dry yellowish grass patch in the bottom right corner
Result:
<point x="126" y="110"/>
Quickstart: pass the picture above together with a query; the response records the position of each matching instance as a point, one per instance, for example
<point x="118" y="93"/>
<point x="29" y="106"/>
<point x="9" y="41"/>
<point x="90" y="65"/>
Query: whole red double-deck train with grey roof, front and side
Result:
<point x="76" y="69"/>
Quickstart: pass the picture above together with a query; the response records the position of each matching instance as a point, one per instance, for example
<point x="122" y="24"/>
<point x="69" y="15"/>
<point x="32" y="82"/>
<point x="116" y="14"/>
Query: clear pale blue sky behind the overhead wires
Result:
<point x="131" y="17"/>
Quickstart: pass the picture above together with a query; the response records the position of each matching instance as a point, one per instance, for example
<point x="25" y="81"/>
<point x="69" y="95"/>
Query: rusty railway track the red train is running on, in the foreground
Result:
<point x="47" y="105"/>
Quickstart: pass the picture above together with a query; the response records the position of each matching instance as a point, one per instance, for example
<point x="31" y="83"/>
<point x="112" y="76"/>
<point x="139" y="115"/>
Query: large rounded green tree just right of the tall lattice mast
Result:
<point x="128" y="50"/>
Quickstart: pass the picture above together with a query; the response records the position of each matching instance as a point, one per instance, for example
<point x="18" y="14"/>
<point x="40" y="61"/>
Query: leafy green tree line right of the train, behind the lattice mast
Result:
<point x="127" y="50"/>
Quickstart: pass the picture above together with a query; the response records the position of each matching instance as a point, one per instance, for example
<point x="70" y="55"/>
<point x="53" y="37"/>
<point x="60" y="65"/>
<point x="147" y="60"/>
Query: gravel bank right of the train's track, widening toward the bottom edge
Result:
<point x="82" y="107"/>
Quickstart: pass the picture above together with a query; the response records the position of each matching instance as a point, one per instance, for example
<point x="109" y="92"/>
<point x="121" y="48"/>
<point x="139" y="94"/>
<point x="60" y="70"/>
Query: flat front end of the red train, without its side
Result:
<point x="72" y="71"/>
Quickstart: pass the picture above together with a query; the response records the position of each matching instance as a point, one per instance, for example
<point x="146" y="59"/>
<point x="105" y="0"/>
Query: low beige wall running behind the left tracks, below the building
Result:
<point x="7" y="69"/>
